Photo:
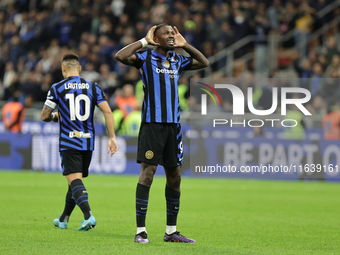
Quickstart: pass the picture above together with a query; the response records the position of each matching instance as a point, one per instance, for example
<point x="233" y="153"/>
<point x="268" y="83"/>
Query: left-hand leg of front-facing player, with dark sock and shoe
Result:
<point x="142" y="197"/>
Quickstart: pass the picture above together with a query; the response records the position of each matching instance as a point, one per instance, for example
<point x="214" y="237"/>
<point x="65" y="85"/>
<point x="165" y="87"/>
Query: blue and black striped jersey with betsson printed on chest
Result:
<point x="160" y="77"/>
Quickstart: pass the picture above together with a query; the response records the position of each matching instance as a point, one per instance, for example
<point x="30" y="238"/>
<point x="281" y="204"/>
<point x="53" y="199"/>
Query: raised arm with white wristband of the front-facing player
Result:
<point x="127" y="56"/>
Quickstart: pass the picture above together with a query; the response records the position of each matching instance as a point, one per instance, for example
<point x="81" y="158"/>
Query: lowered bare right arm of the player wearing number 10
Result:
<point x="110" y="124"/>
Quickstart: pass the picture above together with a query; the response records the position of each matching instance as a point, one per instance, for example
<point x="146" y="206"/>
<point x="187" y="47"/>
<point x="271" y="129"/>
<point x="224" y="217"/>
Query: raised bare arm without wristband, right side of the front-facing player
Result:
<point x="199" y="60"/>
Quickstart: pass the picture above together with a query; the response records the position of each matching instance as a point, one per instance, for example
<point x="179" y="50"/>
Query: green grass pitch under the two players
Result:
<point x="223" y="216"/>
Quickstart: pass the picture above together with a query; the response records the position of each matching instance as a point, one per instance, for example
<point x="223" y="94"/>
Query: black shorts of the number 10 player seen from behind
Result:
<point x="74" y="161"/>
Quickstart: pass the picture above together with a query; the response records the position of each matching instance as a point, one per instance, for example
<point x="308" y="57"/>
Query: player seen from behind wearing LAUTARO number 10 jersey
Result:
<point x="76" y="98"/>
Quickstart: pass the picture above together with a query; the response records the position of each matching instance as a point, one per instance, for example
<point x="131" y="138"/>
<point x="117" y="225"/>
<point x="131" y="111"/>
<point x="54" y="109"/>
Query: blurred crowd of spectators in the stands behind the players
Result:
<point x="34" y="35"/>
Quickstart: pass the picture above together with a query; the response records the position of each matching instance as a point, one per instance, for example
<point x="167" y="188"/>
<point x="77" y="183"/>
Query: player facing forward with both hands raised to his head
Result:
<point x="160" y="137"/>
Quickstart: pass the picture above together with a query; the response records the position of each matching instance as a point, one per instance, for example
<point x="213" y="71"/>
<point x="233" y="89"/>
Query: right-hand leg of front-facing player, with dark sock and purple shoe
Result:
<point x="172" y="196"/>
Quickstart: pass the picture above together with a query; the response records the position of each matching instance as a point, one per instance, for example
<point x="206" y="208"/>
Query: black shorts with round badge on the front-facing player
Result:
<point x="160" y="143"/>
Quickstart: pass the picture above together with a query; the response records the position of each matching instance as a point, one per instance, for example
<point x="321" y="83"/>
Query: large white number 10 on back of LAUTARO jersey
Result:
<point x="75" y="107"/>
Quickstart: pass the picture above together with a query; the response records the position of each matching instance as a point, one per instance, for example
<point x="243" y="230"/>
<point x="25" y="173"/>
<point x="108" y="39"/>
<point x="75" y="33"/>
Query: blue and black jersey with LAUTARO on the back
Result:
<point x="75" y="98"/>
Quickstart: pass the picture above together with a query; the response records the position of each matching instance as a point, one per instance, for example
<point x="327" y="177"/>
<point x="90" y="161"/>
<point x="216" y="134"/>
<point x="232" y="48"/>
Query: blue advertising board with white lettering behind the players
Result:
<point x="232" y="152"/>
